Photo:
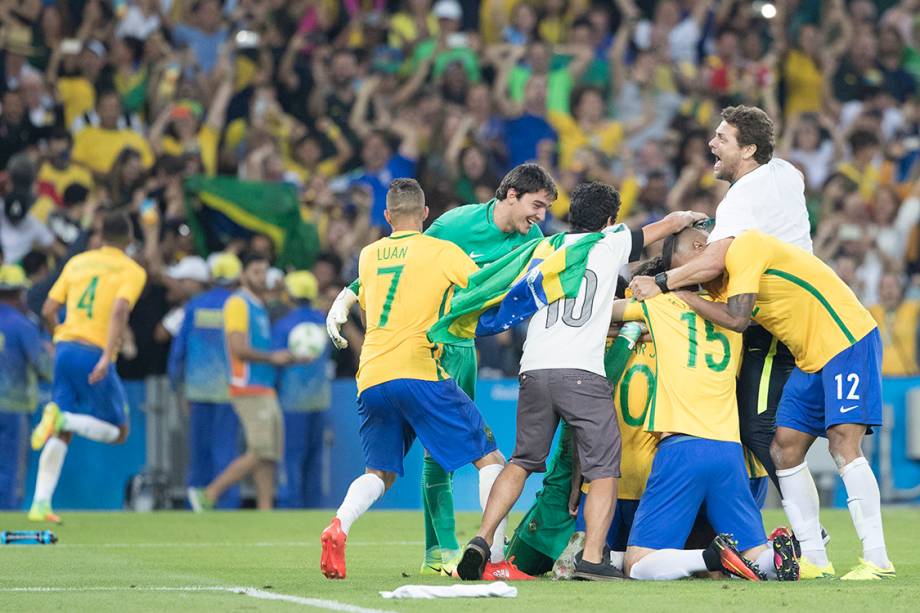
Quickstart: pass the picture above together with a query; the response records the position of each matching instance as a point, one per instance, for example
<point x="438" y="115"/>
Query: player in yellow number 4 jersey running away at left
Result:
<point x="99" y="288"/>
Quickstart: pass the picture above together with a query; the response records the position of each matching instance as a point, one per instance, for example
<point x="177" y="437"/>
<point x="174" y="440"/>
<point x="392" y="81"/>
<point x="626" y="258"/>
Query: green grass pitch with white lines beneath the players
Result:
<point x="135" y="562"/>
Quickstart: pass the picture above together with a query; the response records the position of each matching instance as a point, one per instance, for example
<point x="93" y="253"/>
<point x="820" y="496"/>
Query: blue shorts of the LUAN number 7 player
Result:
<point x="444" y="418"/>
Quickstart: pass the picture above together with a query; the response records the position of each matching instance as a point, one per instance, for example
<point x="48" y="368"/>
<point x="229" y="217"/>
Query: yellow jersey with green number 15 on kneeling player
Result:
<point x="696" y="363"/>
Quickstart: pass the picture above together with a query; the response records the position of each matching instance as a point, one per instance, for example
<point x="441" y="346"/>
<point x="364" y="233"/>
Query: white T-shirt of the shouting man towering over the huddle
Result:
<point x="771" y="199"/>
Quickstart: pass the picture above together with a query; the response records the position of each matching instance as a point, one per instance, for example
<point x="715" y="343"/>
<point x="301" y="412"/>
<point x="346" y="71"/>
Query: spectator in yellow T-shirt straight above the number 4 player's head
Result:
<point x="96" y="147"/>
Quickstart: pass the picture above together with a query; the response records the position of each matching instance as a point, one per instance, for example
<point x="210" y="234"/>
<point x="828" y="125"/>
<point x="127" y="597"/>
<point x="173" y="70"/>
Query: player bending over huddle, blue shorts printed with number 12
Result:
<point x="834" y="391"/>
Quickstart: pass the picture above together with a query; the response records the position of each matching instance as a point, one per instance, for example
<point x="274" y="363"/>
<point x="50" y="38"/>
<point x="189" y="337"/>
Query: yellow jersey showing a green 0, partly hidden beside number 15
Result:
<point x="633" y="397"/>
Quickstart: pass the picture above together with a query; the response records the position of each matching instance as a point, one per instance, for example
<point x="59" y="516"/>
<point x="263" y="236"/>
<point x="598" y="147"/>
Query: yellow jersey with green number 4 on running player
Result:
<point x="89" y="285"/>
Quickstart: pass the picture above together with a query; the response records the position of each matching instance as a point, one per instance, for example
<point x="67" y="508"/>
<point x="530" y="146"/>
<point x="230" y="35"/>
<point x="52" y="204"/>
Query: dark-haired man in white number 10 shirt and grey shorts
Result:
<point x="562" y="376"/>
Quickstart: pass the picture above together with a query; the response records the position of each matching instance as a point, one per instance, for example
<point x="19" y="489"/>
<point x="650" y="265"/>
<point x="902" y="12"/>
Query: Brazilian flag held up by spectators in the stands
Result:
<point x="221" y="209"/>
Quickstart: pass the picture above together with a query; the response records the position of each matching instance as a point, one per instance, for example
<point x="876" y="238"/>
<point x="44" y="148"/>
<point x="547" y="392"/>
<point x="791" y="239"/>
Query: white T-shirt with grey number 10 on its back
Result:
<point x="571" y="333"/>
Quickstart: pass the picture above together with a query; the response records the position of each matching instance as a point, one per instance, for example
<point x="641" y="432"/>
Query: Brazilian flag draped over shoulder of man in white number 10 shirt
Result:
<point x="514" y="287"/>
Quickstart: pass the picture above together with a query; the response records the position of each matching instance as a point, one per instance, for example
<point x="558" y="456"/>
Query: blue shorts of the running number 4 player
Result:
<point x="72" y="392"/>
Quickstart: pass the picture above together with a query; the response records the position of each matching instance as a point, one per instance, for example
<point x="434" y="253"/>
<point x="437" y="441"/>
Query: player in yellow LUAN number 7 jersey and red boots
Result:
<point x="403" y="391"/>
